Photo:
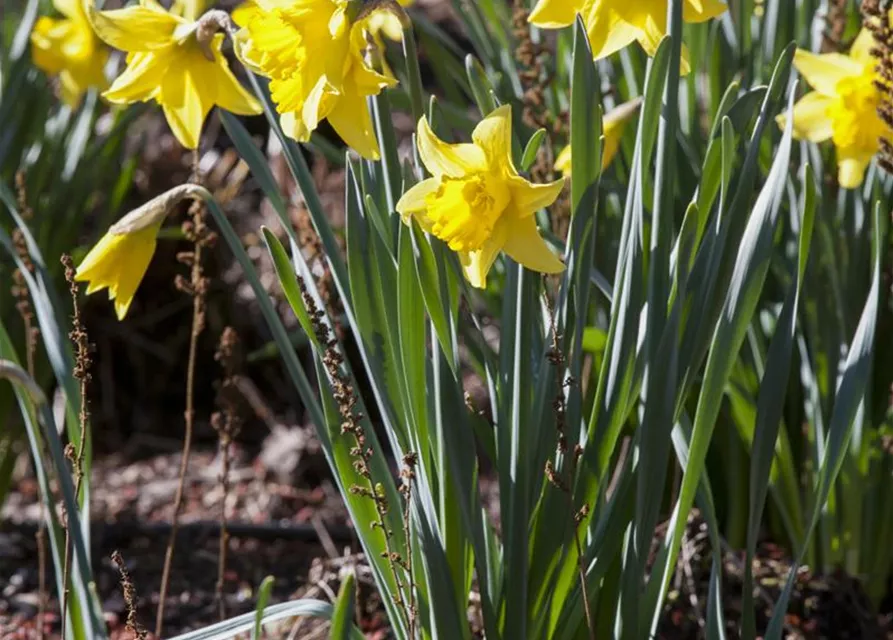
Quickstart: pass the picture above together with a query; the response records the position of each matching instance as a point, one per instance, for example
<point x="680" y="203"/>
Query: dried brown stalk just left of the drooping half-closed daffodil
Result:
<point x="81" y="372"/>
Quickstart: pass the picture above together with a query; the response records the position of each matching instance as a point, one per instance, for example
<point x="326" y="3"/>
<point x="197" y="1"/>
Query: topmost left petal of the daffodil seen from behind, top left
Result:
<point x="135" y="28"/>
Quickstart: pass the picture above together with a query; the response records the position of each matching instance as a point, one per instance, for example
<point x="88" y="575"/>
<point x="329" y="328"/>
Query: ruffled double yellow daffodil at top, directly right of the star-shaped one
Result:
<point x="315" y="57"/>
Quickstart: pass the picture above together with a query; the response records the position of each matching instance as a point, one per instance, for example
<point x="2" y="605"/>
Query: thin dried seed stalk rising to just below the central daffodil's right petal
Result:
<point x="567" y="484"/>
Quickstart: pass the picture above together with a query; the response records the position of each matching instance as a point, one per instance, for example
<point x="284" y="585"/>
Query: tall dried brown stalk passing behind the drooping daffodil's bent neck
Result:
<point x="201" y="237"/>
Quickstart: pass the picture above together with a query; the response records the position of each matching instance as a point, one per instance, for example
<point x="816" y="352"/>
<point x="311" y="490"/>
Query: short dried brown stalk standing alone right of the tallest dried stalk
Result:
<point x="227" y="424"/>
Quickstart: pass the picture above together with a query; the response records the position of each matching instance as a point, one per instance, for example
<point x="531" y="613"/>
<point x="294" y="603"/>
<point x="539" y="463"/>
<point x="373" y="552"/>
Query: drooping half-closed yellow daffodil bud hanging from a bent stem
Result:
<point x="119" y="262"/>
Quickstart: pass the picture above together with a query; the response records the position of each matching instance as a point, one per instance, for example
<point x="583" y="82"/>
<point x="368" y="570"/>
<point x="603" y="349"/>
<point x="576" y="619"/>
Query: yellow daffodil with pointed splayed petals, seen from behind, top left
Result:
<point x="173" y="60"/>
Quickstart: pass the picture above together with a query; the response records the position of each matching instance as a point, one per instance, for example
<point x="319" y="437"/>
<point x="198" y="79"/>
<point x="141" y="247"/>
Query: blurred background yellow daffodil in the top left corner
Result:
<point x="67" y="47"/>
